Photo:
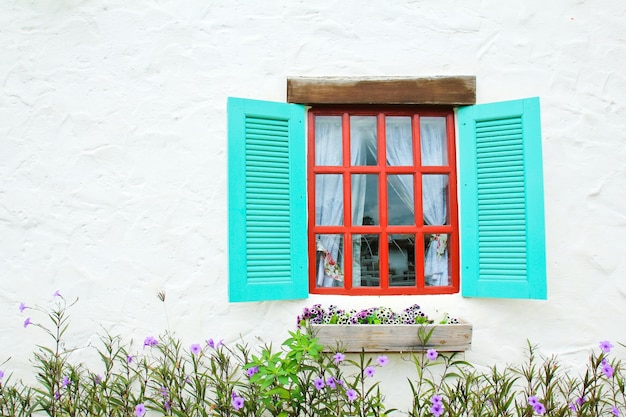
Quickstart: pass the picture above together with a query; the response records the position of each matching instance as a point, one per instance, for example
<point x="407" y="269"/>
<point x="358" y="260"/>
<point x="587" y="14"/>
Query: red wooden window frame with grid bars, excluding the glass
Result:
<point x="419" y="229"/>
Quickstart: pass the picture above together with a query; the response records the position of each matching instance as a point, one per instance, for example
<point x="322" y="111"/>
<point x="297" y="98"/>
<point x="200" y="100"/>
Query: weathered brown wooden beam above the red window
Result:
<point x="443" y="90"/>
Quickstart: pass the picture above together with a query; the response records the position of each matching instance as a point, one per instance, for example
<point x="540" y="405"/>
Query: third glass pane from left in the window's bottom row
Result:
<point x="402" y="260"/>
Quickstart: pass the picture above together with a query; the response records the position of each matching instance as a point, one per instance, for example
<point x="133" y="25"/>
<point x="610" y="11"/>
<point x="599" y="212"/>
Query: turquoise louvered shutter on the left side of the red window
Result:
<point x="267" y="247"/>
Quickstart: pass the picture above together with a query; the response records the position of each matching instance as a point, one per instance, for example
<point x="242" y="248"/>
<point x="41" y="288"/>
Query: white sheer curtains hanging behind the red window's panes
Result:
<point x="329" y="188"/>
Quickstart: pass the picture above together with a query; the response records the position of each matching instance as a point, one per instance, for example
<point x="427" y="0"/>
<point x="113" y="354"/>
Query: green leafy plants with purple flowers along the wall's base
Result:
<point x="298" y="379"/>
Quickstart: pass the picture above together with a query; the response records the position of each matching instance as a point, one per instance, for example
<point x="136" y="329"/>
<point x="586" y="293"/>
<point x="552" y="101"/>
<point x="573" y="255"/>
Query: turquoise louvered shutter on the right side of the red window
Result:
<point x="502" y="218"/>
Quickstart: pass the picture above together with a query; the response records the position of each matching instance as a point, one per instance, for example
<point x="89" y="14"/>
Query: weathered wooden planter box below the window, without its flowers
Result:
<point x="393" y="337"/>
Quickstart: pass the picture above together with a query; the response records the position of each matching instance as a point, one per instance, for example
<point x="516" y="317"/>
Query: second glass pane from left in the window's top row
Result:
<point x="363" y="139"/>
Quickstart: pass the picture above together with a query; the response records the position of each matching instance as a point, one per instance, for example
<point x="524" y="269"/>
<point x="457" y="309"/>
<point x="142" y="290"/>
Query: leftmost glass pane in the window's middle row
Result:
<point x="329" y="200"/>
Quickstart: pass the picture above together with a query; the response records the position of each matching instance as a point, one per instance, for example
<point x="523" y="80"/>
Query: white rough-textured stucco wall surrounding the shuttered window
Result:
<point x="113" y="163"/>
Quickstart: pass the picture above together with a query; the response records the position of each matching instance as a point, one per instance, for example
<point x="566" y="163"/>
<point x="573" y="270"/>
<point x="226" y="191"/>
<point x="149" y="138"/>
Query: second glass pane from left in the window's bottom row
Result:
<point x="366" y="265"/>
